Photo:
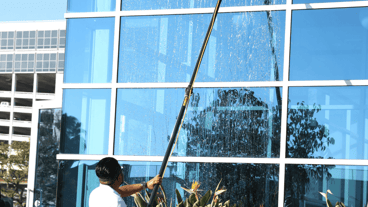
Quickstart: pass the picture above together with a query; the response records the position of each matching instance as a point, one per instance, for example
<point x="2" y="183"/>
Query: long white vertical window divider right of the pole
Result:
<point x="285" y="99"/>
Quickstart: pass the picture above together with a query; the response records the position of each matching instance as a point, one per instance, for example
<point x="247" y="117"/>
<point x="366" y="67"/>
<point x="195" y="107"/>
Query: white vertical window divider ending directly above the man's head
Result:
<point x="115" y="68"/>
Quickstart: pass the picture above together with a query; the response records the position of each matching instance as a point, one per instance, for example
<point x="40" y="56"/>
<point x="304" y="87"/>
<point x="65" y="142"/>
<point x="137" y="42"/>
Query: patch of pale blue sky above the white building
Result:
<point x="28" y="10"/>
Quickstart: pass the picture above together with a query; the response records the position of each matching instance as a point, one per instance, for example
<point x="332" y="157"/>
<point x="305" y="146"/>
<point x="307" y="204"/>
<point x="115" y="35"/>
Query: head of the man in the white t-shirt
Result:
<point x="108" y="171"/>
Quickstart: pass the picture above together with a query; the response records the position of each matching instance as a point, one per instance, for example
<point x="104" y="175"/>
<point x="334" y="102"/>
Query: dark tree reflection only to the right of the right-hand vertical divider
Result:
<point x="305" y="136"/>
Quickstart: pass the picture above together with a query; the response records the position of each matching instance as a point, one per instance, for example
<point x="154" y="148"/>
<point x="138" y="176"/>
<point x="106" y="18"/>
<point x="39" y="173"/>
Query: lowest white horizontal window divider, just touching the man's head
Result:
<point x="217" y="160"/>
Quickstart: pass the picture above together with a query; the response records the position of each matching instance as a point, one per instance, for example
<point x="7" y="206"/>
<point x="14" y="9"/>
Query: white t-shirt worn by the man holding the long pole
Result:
<point x="105" y="196"/>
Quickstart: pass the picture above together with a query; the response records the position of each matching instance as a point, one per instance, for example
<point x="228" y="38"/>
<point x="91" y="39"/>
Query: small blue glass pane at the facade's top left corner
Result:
<point x="91" y="5"/>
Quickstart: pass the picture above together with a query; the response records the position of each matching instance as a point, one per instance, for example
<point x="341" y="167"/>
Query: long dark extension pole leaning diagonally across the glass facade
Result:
<point x="188" y="92"/>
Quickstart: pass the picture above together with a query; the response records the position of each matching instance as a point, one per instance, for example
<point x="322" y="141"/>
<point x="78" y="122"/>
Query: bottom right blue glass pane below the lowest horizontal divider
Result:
<point x="347" y="183"/>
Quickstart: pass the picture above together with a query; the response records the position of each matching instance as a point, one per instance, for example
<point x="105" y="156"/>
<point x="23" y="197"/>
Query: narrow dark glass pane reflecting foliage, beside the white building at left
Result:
<point x="46" y="163"/>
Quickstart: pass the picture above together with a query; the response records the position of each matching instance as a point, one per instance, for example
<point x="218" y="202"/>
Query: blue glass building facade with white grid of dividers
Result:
<point x="278" y="111"/>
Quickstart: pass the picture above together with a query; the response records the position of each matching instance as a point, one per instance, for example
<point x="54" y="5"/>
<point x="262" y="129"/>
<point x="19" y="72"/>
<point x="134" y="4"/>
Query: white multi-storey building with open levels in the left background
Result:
<point x="31" y="68"/>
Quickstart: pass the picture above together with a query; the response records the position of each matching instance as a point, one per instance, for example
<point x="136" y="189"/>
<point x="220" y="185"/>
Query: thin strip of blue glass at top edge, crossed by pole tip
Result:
<point x="165" y="4"/>
